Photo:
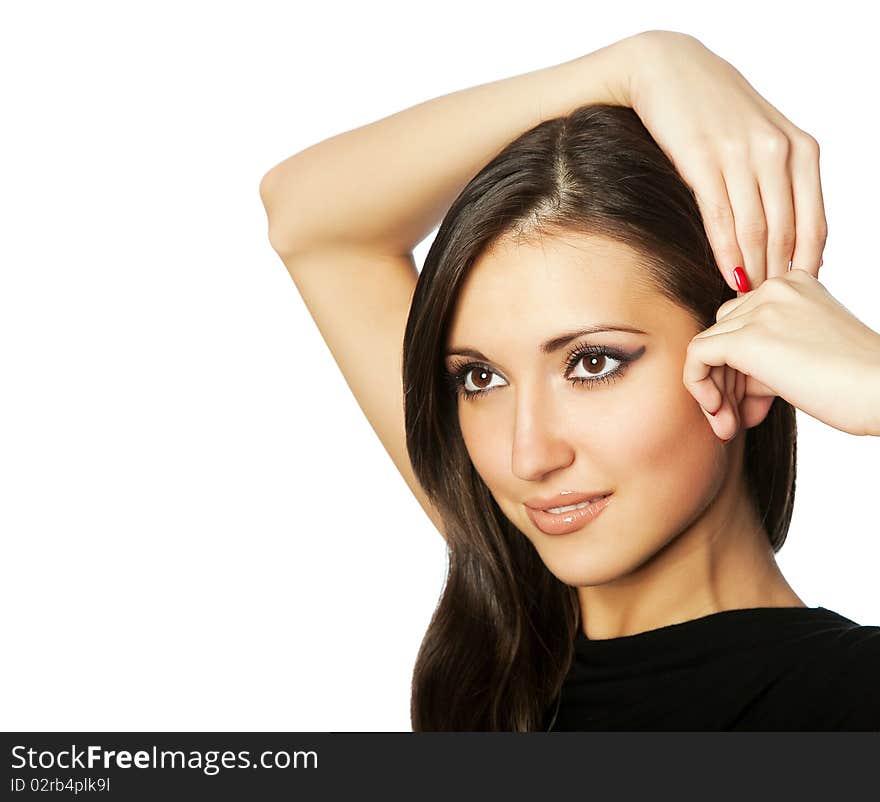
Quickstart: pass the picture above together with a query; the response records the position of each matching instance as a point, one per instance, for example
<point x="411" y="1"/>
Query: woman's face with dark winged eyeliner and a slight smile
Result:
<point x="535" y="432"/>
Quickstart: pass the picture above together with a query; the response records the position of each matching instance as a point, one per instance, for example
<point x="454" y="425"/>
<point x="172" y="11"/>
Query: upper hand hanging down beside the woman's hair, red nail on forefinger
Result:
<point x="755" y="174"/>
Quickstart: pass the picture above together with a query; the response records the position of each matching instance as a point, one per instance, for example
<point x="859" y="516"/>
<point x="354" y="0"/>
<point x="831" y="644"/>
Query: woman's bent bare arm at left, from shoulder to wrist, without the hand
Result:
<point x="345" y="214"/>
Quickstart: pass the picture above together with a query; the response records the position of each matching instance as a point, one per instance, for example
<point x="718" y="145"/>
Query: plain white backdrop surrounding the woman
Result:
<point x="199" y="528"/>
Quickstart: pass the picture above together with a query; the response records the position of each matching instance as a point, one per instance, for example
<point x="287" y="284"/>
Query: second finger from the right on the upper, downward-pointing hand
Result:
<point x="774" y="183"/>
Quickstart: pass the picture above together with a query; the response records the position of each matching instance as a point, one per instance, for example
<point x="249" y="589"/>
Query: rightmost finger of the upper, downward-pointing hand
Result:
<point x="811" y="227"/>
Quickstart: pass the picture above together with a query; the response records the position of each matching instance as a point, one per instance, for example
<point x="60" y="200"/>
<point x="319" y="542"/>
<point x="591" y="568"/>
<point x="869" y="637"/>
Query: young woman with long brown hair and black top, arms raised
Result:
<point x="584" y="412"/>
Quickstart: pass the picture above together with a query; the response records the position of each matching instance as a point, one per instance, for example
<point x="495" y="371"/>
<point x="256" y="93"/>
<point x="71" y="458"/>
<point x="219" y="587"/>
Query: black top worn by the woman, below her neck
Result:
<point x="763" y="668"/>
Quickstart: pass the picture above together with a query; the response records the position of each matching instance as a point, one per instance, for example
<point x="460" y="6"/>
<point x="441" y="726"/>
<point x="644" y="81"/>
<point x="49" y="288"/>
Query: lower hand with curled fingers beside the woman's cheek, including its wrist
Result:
<point x="790" y="338"/>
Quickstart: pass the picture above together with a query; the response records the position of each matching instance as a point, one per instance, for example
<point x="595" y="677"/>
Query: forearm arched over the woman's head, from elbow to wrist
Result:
<point x="385" y="186"/>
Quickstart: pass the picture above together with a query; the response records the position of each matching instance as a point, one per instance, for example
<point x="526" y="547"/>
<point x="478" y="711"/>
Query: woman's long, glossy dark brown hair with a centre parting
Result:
<point x="500" y="642"/>
